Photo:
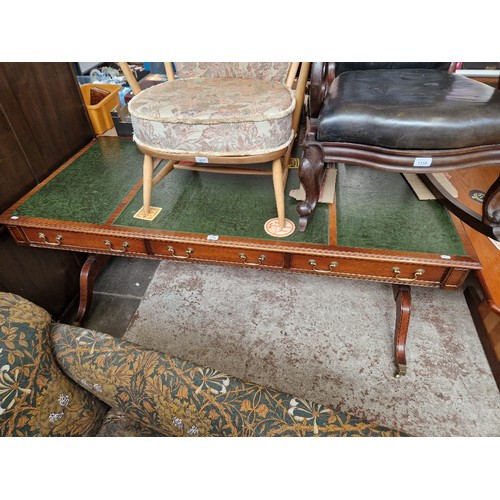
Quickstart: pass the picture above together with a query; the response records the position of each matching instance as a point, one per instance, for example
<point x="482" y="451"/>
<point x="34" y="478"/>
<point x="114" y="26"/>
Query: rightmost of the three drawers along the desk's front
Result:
<point x="397" y="272"/>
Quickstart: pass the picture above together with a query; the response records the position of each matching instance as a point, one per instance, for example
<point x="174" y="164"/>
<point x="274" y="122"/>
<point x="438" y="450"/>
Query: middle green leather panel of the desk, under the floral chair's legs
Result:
<point x="223" y="205"/>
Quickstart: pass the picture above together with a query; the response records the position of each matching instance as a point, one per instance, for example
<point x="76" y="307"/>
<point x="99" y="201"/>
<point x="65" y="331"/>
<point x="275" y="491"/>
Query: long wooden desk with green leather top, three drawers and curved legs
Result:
<point x="376" y="230"/>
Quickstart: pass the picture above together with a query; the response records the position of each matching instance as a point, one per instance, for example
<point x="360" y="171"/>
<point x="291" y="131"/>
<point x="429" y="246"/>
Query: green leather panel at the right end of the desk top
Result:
<point x="378" y="209"/>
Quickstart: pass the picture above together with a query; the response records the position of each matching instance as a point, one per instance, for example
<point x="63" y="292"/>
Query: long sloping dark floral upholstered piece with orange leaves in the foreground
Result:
<point x="178" y="398"/>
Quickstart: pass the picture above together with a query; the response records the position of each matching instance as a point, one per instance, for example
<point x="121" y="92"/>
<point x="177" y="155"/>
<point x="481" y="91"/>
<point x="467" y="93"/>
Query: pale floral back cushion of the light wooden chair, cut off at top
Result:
<point x="276" y="71"/>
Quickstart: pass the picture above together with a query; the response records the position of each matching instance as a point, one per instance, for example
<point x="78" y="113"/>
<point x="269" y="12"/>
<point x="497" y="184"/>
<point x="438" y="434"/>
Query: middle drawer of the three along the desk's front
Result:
<point x="185" y="251"/>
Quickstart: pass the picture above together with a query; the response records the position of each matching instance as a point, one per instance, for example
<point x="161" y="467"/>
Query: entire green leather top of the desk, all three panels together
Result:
<point x="375" y="209"/>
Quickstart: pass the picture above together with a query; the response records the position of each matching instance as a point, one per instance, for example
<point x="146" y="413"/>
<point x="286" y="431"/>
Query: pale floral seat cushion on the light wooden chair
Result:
<point x="214" y="116"/>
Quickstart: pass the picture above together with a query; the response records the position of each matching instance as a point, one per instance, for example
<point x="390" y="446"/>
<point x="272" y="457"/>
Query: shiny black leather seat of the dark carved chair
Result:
<point x="410" y="109"/>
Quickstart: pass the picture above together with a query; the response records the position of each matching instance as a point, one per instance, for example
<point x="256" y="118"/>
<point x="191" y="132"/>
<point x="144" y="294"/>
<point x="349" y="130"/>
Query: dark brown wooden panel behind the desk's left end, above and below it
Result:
<point x="43" y="122"/>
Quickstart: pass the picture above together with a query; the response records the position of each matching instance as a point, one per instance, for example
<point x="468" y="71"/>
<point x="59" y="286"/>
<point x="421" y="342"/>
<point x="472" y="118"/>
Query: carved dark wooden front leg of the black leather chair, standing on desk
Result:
<point x="311" y="173"/>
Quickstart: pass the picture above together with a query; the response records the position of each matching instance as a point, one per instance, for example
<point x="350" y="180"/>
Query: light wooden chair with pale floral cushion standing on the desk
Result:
<point x="223" y="118"/>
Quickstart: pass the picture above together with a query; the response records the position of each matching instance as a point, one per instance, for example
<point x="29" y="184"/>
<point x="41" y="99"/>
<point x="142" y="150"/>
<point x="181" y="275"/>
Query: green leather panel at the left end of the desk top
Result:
<point x="92" y="187"/>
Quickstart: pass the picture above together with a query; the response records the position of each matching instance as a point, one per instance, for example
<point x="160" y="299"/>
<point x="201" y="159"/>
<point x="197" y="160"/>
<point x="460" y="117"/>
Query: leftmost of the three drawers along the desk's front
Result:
<point x="98" y="243"/>
